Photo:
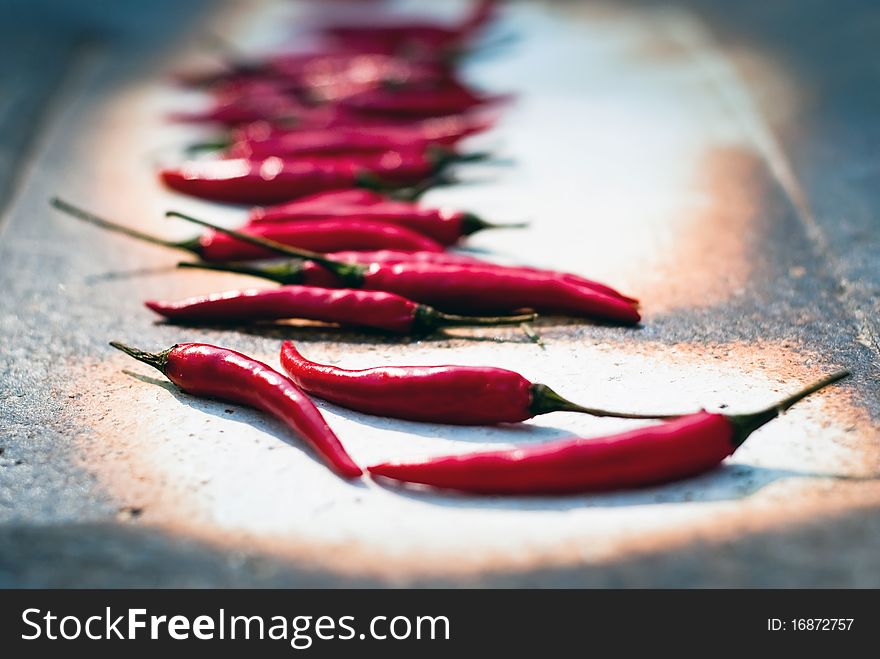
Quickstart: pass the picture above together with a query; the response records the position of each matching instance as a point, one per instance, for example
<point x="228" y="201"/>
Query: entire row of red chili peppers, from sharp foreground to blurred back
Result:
<point x="318" y="135"/>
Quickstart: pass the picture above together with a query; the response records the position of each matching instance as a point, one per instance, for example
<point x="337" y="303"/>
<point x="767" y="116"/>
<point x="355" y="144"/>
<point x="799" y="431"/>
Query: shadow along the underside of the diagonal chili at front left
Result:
<point x="245" y="415"/>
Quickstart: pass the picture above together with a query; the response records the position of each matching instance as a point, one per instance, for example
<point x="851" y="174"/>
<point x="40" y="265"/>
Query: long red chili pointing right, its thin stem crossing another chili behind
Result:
<point x="462" y="288"/>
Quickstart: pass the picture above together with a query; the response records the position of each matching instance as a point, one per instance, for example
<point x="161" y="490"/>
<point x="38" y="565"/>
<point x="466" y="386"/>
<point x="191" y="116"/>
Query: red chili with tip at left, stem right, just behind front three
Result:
<point x="376" y="309"/>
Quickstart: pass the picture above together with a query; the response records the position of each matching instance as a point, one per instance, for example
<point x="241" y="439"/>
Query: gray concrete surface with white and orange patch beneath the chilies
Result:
<point x="715" y="160"/>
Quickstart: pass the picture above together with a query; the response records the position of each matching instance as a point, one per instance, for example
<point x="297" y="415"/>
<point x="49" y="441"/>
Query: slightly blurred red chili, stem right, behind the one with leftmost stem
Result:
<point x="447" y="227"/>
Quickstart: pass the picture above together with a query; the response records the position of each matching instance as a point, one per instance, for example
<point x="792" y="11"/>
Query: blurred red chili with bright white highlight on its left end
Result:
<point x="274" y="180"/>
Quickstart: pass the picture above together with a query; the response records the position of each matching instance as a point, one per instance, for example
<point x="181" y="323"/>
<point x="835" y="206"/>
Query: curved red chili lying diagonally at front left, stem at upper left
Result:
<point x="209" y="371"/>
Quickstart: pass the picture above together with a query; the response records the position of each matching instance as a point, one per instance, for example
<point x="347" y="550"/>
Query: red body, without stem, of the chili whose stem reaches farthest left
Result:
<point x="319" y="236"/>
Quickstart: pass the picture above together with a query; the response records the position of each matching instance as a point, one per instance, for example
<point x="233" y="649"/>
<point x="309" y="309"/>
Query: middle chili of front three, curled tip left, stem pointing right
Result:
<point x="460" y="395"/>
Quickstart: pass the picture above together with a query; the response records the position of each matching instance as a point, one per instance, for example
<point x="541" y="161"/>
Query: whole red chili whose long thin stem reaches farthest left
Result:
<point x="325" y="235"/>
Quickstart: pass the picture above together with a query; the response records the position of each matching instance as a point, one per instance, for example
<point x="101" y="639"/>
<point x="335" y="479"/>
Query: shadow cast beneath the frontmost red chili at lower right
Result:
<point x="729" y="482"/>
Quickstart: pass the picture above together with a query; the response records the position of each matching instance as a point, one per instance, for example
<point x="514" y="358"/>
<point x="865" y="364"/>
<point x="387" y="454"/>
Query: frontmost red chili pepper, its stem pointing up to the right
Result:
<point x="673" y="450"/>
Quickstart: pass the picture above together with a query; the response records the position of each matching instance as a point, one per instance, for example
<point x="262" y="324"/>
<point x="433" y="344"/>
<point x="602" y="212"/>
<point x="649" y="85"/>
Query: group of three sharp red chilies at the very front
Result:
<point x="684" y="446"/>
